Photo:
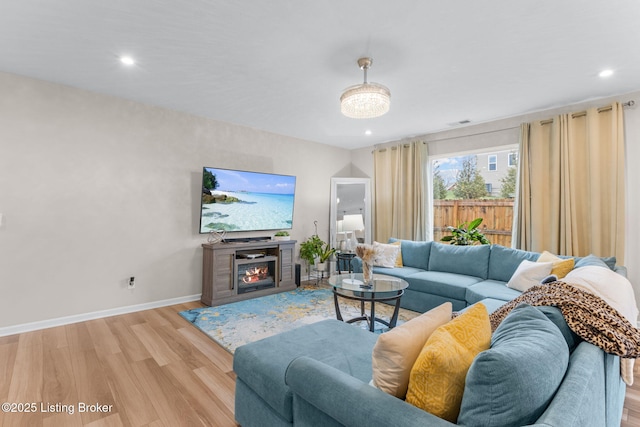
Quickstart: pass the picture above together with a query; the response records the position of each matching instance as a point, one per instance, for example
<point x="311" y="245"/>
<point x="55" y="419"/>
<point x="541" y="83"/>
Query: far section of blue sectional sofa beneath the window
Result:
<point x="463" y="275"/>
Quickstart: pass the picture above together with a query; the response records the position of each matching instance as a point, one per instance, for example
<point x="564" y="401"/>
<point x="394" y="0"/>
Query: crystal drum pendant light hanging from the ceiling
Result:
<point x="366" y="100"/>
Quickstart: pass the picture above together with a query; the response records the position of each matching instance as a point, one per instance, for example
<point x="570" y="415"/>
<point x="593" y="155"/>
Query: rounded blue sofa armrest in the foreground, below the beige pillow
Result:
<point x="350" y="401"/>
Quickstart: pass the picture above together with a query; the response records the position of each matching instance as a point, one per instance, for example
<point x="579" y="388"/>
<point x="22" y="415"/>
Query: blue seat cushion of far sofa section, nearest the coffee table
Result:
<point x="450" y="285"/>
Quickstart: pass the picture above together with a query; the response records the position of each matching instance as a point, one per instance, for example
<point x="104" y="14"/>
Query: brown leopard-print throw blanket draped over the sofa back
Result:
<point x="588" y="315"/>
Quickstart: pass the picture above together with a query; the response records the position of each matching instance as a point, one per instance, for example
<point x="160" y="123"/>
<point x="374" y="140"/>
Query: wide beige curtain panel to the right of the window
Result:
<point x="571" y="184"/>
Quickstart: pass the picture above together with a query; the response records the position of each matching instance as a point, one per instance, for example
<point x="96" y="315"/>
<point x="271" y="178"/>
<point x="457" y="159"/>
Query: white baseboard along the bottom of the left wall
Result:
<point x="44" y="324"/>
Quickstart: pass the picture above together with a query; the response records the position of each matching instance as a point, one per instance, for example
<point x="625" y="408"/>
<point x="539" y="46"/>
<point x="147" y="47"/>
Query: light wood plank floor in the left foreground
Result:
<point x="150" y="368"/>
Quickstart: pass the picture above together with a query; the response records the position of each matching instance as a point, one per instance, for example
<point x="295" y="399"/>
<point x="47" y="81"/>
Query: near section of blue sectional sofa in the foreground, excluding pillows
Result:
<point x="318" y="376"/>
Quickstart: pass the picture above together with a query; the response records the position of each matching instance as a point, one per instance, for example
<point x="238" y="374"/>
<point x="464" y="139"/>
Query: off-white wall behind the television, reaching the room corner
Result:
<point x="95" y="189"/>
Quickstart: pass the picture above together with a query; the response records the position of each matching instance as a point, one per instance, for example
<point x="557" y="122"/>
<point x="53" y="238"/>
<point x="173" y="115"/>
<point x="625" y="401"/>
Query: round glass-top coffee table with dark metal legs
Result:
<point x="382" y="288"/>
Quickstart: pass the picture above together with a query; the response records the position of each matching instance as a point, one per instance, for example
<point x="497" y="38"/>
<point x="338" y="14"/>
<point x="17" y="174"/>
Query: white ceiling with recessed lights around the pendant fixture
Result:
<point x="281" y="65"/>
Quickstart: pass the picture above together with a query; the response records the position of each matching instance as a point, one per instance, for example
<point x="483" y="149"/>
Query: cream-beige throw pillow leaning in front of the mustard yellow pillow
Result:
<point x="396" y="351"/>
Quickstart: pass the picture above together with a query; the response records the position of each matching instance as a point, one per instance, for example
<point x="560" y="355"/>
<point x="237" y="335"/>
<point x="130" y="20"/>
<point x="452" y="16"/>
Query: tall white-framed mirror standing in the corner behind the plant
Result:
<point x="350" y="219"/>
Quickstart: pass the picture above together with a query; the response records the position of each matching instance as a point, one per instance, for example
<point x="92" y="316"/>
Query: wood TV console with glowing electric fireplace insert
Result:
<point x="241" y="270"/>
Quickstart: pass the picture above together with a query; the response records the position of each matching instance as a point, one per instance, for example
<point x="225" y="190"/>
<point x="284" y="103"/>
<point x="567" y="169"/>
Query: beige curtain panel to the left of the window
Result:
<point x="399" y="187"/>
